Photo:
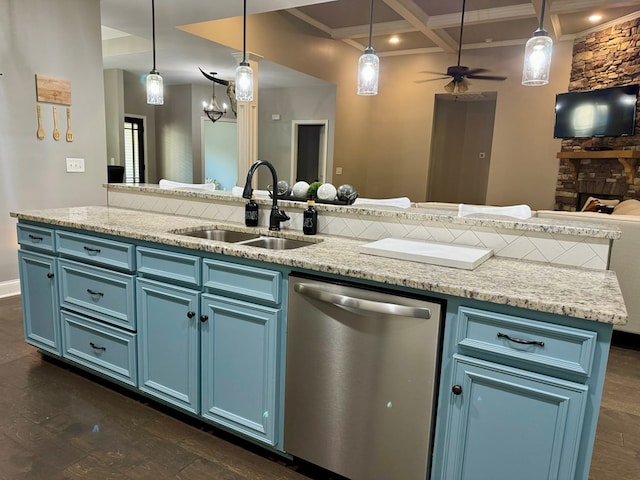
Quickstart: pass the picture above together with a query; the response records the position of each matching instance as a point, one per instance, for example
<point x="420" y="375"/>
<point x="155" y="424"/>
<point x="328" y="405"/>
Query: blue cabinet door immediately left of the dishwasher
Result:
<point x="239" y="359"/>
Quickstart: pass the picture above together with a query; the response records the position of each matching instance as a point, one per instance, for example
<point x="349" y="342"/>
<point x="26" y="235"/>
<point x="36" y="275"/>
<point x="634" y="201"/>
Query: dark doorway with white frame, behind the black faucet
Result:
<point x="309" y="150"/>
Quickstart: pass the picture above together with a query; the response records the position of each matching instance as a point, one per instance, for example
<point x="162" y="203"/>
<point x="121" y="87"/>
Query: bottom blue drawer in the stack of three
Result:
<point x="108" y="350"/>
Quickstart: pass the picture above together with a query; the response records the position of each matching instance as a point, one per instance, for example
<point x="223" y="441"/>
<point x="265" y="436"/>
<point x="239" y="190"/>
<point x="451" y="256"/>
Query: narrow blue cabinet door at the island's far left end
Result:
<point x="40" y="301"/>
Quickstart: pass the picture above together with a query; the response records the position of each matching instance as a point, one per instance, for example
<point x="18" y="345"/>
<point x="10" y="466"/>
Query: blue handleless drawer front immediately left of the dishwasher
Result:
<point x="241" y="281"/>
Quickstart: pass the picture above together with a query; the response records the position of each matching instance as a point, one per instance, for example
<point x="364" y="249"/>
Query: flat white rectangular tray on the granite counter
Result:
<point x="444" y="254"/>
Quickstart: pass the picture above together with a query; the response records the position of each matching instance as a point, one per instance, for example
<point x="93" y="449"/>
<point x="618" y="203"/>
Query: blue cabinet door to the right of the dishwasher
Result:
<point x="506" y="423"/>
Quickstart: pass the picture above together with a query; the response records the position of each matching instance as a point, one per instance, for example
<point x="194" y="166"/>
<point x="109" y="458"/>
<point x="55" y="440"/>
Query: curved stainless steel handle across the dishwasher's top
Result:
<point x="345" y="301"/>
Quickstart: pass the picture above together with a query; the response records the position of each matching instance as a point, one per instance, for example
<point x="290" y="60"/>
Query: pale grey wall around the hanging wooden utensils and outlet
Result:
<point x="59" y="38"/>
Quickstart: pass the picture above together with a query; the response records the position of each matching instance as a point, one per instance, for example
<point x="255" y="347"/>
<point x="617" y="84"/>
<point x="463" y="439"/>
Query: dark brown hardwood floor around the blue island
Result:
<point x="57" y="422"/>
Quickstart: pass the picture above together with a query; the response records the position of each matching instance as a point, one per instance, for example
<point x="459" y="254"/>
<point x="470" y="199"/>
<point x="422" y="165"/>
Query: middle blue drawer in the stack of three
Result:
<point x="97" y="292"/>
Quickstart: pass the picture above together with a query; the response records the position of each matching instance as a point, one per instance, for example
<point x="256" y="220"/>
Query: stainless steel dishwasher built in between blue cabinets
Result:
<point x="362" y="368"/>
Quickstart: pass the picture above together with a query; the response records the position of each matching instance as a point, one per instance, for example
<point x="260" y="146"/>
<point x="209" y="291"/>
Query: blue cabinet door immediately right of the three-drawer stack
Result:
<point x="169" y="343"/>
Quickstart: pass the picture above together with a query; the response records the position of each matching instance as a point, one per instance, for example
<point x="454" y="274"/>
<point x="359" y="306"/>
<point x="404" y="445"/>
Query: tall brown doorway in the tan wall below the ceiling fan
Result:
<point x="461" y="147"/>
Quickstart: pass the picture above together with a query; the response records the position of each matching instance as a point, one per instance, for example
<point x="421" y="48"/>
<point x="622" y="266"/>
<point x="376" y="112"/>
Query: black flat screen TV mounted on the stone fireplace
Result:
<point x="608" y="112"/>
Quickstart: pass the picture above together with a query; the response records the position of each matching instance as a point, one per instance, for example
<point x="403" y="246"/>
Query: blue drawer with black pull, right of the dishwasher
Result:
<point x="563" y="349"/>
